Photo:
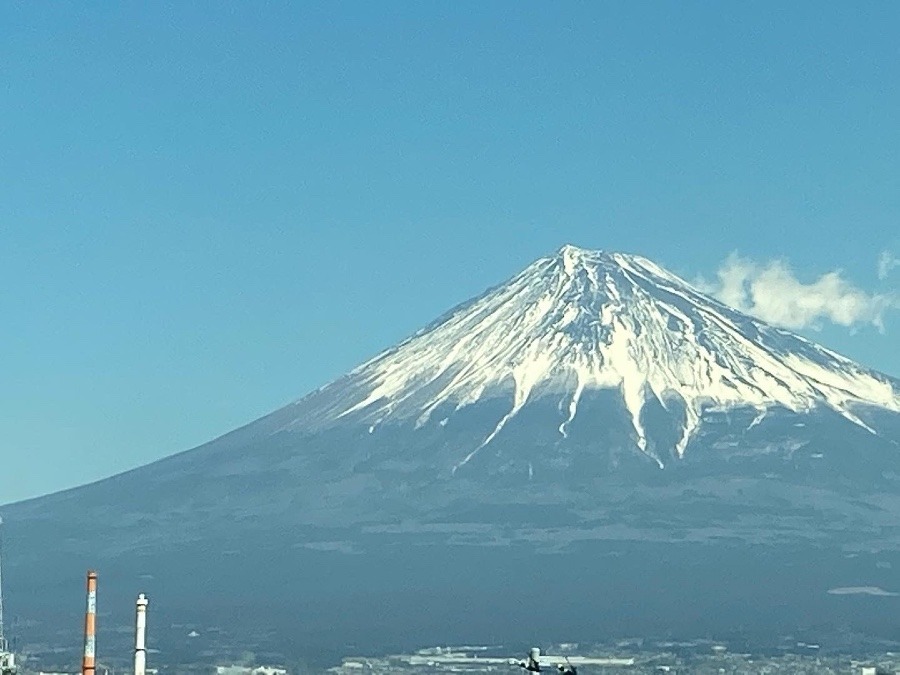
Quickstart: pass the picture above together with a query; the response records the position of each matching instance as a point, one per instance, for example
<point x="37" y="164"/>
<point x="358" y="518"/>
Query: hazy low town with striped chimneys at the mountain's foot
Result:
<point x="636" y="656"/>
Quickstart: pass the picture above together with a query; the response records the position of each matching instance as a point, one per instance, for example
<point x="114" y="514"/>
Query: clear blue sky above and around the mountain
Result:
<point x="209" y="209"/>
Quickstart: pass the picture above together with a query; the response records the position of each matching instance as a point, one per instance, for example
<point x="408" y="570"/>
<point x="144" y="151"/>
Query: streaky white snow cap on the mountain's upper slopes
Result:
<point x="583" y="320"/>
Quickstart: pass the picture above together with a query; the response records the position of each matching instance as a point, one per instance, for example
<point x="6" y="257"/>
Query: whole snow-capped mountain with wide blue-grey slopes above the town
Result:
<point x="594" y="414"/>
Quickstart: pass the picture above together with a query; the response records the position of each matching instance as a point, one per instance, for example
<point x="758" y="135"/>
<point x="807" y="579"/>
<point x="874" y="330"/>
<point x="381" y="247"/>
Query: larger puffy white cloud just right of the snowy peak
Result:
<point x="772" y="292"/>
